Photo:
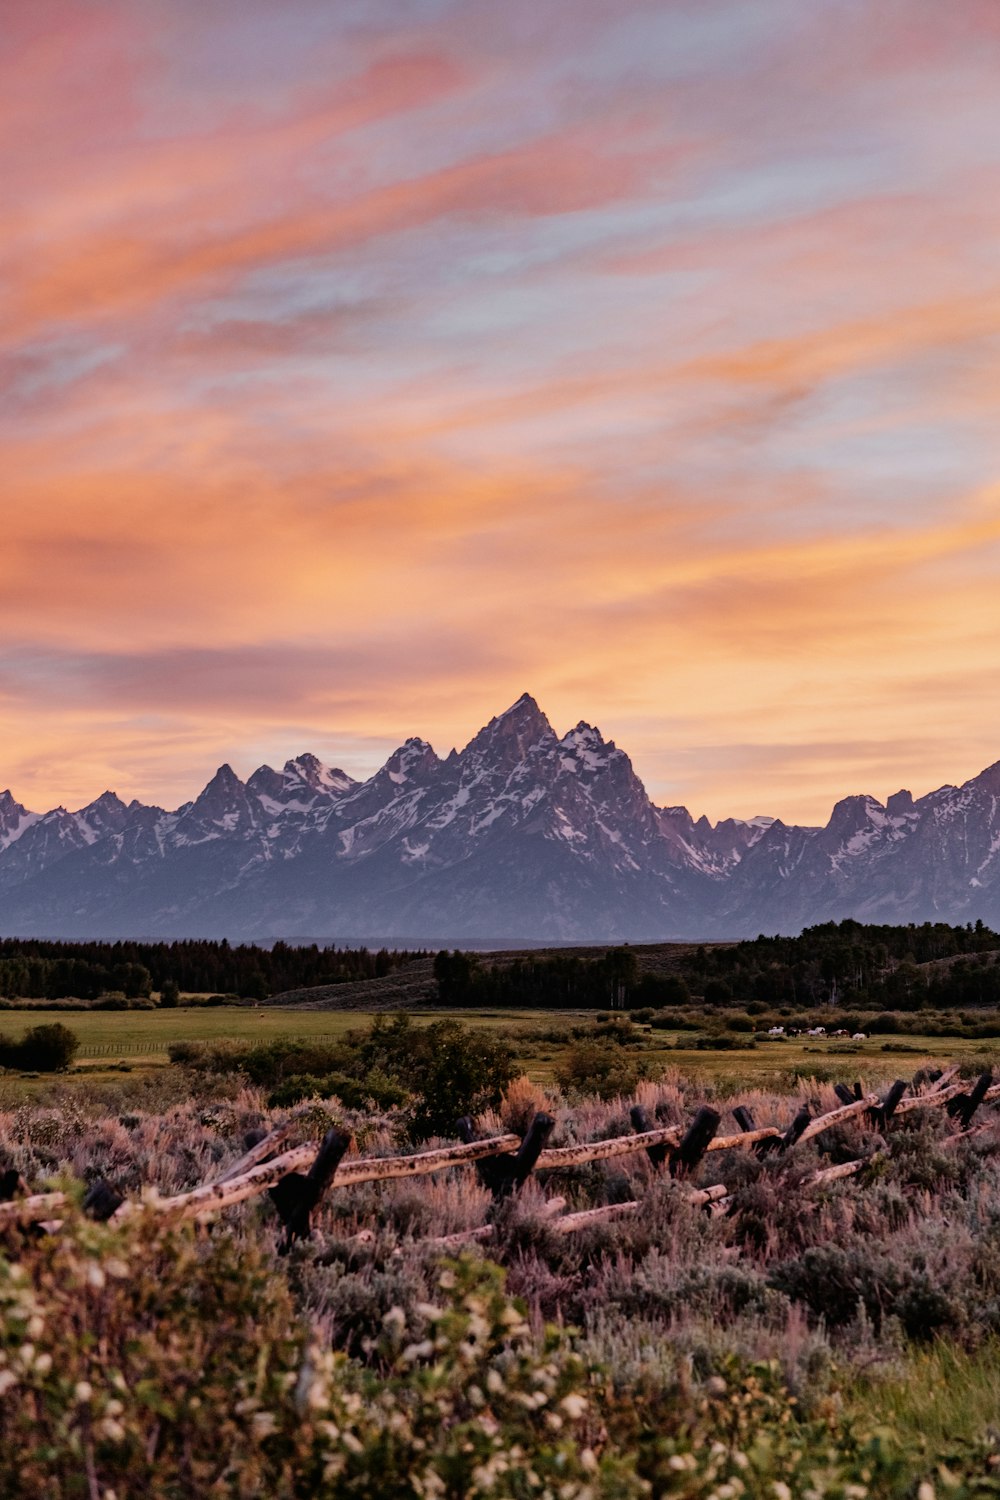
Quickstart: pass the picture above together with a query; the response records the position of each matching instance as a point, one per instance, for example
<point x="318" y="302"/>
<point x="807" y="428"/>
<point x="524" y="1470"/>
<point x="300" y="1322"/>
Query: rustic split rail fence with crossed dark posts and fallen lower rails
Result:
<point x="299" y="1178"/>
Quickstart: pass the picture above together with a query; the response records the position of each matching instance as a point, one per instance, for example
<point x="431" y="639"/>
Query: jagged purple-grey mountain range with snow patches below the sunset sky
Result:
<point x="522" y="835"/>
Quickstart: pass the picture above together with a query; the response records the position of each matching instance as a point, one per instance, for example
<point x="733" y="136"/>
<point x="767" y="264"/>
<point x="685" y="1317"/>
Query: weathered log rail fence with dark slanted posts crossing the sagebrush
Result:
<point x="254" y="1174"/>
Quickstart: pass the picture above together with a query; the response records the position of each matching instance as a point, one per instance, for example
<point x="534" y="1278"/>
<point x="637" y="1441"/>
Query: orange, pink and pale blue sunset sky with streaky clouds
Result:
<point x="368" y="364"/>
